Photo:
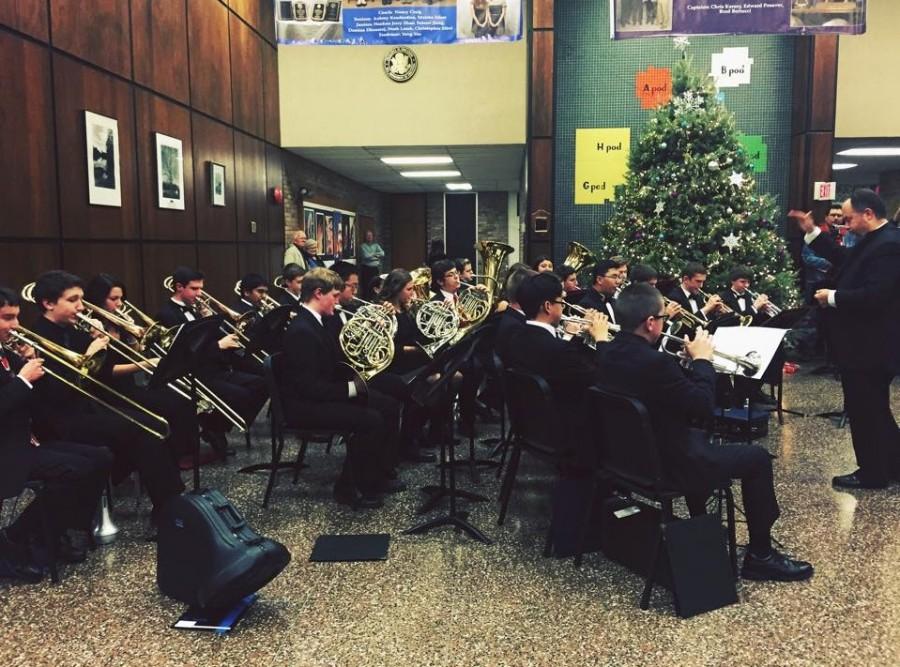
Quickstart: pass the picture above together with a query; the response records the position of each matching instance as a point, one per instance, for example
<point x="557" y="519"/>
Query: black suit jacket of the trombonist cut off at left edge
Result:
<point x="16" y="453"/>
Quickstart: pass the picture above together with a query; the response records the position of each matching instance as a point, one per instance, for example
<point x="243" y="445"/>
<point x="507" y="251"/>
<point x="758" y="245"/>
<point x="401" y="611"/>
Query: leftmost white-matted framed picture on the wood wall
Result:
<point x="102" y="150"/>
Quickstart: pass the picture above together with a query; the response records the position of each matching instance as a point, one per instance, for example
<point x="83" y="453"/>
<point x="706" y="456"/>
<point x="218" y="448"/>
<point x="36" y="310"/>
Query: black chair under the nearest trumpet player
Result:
<point x="629" y="458"/>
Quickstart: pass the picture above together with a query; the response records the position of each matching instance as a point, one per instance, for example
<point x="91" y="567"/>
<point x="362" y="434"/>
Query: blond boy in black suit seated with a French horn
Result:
<point x="315" y="397"/>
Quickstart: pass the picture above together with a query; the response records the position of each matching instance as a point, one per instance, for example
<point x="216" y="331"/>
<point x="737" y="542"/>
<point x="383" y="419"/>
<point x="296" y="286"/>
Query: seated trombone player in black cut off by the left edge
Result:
<point x="74" y="474"/>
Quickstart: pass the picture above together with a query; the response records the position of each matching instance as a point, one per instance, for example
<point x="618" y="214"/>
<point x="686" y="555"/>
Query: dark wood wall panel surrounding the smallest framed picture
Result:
<point x="213" y="142"/>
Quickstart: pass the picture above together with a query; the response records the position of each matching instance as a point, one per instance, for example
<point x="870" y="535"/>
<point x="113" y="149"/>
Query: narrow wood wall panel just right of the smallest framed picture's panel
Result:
<point x="250" y="181"/>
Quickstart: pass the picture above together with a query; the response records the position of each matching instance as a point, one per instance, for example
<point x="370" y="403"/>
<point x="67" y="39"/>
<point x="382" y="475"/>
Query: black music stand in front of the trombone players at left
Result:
<point x="182" y="360"/>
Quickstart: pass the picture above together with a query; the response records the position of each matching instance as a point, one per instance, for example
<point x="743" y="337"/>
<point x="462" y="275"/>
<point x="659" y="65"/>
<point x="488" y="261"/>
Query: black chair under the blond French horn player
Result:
<point x="279" y="428"/>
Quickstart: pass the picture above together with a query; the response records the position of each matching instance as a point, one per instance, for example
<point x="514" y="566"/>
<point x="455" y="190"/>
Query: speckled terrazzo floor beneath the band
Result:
<point x="442" y="599"/>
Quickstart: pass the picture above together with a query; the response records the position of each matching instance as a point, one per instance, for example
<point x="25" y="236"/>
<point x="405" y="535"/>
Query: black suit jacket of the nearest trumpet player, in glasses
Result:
<point x="672" y="396"/>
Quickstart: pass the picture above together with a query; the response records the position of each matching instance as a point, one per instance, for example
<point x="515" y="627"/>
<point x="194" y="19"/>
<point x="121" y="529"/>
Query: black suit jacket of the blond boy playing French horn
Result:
<point x="310" y="367"/>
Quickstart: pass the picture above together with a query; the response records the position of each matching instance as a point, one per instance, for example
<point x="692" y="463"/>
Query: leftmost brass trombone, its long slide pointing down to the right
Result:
<point x="83" y="365"/>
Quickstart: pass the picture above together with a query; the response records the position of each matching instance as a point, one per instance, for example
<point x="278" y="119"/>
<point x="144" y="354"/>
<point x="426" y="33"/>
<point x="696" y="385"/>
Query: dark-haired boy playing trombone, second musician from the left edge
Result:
<point x="69" y="415"/>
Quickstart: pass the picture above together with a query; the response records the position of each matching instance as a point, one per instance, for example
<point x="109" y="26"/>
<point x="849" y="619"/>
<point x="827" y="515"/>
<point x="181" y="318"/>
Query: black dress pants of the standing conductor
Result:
<point x="876" y="439"/>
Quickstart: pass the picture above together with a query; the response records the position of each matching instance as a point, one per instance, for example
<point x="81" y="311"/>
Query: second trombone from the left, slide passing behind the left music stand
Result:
<point x="207" y="401"/>
